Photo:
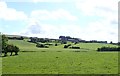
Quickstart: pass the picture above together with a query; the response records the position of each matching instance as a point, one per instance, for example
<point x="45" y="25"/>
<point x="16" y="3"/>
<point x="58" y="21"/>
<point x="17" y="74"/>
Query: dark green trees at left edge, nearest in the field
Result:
<point x="8" y="47"/>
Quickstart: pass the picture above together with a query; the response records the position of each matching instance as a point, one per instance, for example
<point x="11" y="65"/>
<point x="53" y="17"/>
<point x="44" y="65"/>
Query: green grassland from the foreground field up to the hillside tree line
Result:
<point x="57" y="60"/>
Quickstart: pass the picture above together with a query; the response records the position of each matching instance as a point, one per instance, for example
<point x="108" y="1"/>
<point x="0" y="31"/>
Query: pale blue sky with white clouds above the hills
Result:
<point x="85" y="19"/>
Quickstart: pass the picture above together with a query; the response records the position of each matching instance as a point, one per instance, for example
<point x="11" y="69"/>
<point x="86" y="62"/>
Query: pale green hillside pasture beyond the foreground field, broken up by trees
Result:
<point x="27" y="46"/>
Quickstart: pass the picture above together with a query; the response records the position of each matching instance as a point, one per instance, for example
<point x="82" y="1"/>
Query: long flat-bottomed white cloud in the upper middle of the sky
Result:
<point x="54" y="15"/>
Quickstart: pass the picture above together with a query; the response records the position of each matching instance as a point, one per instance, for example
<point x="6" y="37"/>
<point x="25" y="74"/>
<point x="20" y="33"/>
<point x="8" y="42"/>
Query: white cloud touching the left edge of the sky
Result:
<point x="10" y="13"/>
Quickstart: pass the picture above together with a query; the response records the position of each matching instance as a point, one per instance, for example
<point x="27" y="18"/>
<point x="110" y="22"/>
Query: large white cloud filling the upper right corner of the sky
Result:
<point x="108" y="9"/>
